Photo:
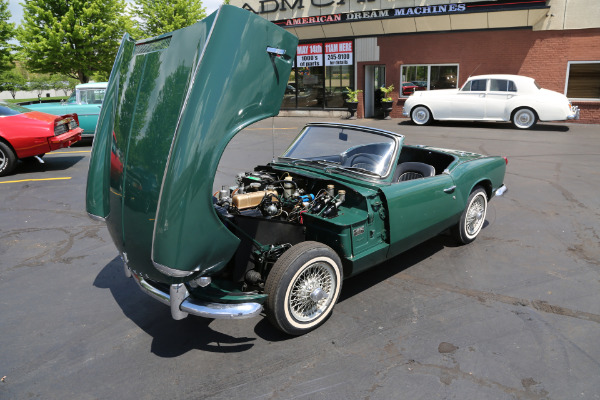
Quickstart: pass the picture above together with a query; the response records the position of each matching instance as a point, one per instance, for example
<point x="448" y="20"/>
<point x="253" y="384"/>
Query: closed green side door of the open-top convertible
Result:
<point x="420" y="209"/>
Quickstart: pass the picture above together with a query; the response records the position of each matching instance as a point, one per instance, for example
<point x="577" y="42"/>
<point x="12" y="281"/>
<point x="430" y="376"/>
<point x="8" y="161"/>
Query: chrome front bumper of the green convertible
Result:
<point x="182" y="304"/>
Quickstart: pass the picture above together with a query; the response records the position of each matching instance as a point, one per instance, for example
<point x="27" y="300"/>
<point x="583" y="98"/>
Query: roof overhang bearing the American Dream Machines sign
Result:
<point x="384" y="17"/>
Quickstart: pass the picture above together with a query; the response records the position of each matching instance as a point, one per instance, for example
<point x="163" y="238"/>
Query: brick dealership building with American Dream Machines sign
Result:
<point x="434" y="44"/>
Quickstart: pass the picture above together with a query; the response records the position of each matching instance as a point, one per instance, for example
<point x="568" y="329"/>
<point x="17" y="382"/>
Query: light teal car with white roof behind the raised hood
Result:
<point x="85" y="101"/>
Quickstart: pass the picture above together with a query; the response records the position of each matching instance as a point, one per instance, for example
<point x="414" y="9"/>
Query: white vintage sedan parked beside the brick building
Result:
<point x="491" y="98"/>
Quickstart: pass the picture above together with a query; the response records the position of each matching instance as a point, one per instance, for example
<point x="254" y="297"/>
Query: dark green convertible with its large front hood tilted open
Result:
<point x="283" y="237"/>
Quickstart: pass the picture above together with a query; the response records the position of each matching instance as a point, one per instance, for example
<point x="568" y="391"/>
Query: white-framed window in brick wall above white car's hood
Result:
<point x="428" y="77"/>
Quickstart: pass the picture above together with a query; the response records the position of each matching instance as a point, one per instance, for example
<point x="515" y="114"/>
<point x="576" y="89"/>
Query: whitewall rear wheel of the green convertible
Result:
<point x="472" y="218"/>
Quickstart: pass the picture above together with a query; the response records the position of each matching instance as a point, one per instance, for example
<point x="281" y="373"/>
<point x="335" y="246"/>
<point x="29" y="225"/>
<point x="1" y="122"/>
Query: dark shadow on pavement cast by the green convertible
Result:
<point x="173" y="338"/>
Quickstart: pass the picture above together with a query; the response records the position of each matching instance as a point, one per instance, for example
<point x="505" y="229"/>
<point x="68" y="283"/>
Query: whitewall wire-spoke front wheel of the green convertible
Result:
<point x="303" y="287"/>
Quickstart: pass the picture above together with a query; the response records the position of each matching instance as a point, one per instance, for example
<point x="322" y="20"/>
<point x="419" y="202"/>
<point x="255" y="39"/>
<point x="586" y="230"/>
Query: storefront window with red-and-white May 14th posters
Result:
<point x="321" y="73"/>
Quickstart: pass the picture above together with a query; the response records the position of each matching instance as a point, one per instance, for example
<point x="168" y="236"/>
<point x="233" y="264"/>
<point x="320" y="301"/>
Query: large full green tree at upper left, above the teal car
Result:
<point x="76" y="38"/>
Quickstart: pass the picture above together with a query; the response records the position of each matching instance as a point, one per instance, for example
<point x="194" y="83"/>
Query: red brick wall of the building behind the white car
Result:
<point x="542" y="55"/>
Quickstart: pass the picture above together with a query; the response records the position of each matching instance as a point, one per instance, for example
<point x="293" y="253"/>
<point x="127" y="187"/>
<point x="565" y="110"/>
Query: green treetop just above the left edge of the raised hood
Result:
<point x="155" y="17"/>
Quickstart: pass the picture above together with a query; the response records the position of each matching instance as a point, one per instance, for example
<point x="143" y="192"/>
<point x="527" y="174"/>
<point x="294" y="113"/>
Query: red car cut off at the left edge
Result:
<point x="27" y="134"/>
